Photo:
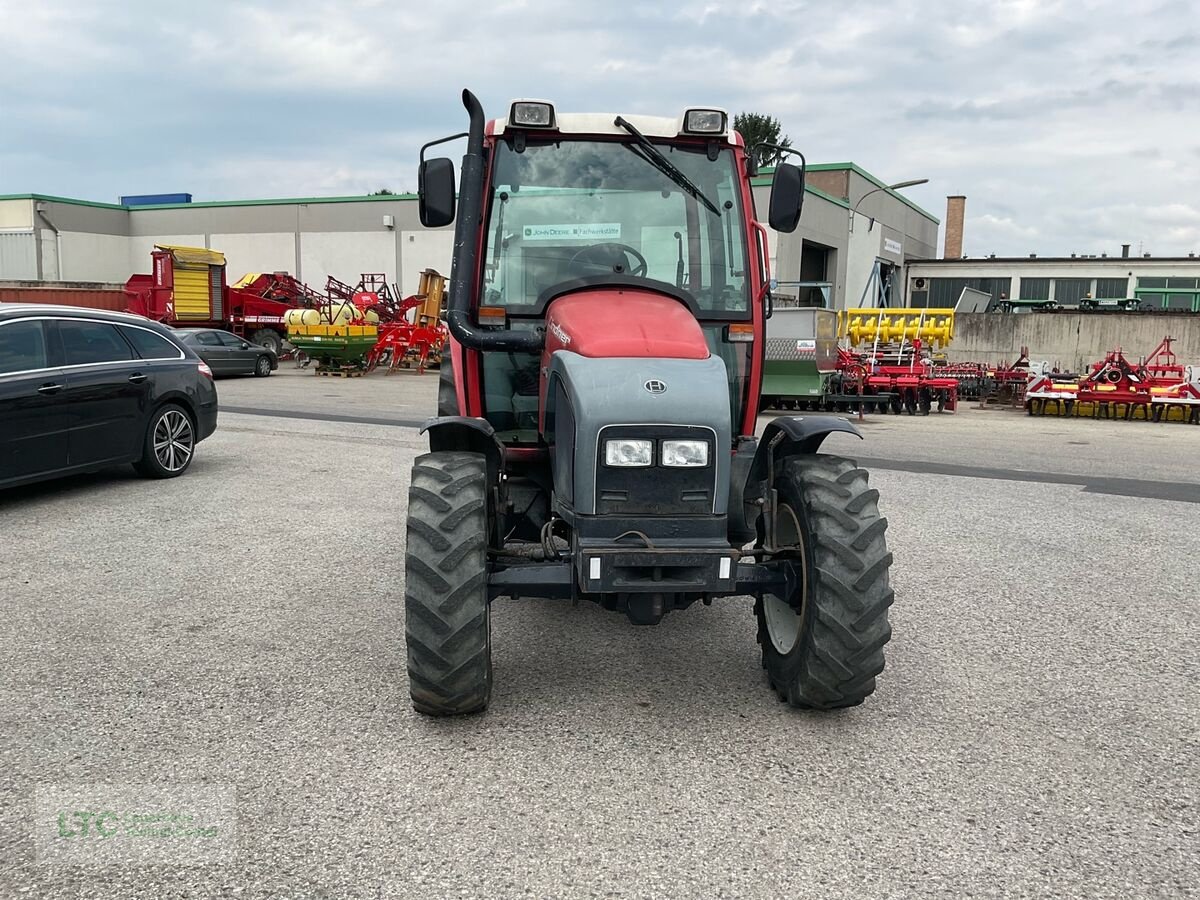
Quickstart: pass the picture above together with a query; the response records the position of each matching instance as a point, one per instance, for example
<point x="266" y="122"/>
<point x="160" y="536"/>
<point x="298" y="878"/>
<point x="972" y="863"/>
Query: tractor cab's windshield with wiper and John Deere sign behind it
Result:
<point x="568" y="211"/>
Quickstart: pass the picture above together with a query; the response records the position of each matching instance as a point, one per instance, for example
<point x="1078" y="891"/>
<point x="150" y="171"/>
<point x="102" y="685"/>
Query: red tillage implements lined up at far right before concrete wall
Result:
<point x="1156" y="388"/>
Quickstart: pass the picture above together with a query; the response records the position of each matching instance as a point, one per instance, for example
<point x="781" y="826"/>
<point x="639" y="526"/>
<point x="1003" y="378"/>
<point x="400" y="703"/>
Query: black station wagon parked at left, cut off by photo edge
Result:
<point x="87" y="389"/>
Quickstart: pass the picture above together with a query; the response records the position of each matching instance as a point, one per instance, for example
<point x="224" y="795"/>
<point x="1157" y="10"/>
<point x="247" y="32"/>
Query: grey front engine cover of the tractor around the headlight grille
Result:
<point x="613" y="392"/>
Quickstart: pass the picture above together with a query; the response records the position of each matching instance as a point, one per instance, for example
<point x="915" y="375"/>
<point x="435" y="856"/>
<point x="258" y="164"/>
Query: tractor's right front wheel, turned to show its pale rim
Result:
<point x="827" y="655"/>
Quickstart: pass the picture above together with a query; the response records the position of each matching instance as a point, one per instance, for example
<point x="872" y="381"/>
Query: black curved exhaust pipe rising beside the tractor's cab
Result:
<point x="466" y="251"/>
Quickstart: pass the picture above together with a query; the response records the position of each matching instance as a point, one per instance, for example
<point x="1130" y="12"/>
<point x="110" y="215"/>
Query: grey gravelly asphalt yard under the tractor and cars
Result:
<point x="241" y="629"/>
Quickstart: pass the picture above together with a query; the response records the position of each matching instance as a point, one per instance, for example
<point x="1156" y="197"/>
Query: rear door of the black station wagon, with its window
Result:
<point x="106" y="394"/>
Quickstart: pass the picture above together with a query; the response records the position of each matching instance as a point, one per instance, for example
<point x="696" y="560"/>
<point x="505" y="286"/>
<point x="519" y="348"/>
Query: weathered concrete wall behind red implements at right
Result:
<point x="1073" y="341"/>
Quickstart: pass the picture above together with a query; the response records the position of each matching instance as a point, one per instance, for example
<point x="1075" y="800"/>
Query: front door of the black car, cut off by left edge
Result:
<point x="33" y="412"/>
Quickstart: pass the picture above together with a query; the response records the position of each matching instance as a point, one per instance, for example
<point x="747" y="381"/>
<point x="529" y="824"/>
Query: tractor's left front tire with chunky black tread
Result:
<point x="448" y="625"/>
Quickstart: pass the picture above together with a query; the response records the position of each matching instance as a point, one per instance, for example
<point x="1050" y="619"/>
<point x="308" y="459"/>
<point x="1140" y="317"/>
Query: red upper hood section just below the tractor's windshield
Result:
<point x="603" y="323"/>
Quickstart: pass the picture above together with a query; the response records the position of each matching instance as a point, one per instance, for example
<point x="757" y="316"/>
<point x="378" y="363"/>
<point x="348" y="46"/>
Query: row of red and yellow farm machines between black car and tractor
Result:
<point x="344" y="328"/>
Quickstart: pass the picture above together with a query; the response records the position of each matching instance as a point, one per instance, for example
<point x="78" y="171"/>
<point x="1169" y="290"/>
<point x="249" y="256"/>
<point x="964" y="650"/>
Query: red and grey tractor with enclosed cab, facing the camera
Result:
<point x="597" y="418"/>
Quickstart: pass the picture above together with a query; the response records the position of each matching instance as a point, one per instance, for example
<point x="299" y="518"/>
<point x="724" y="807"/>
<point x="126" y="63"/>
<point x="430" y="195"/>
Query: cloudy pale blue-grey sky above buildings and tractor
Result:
<point x="1071" y="128"/>
